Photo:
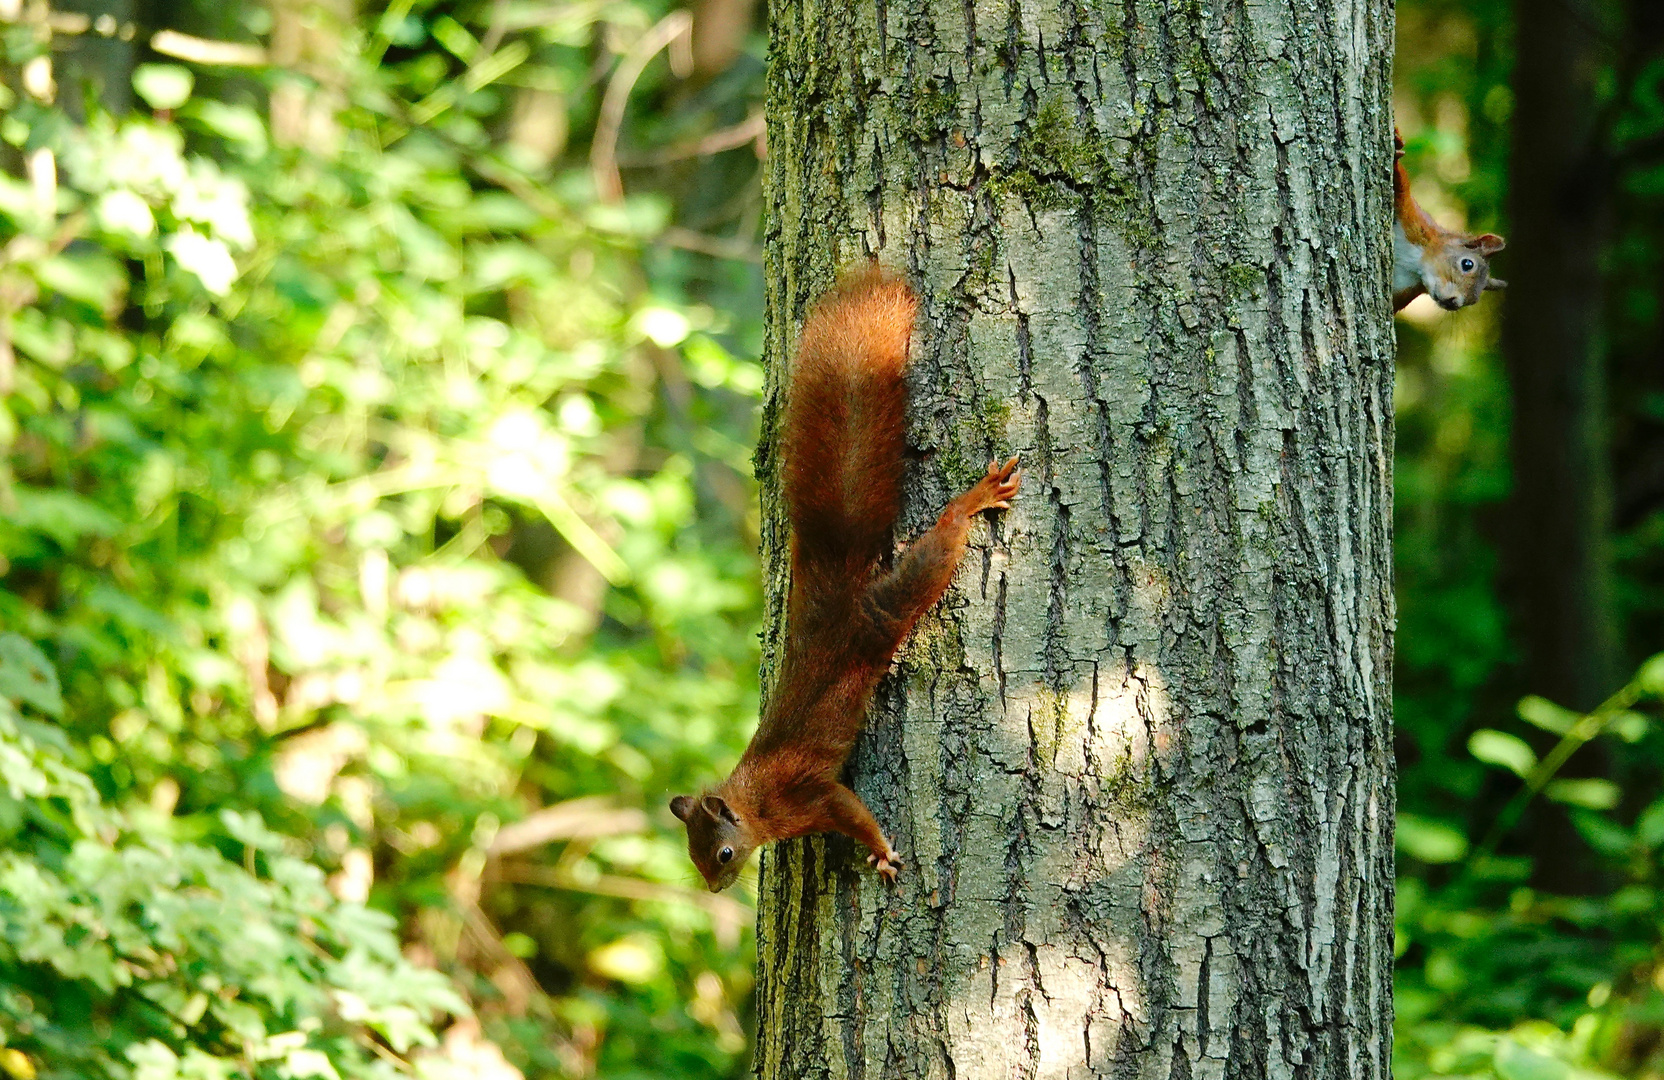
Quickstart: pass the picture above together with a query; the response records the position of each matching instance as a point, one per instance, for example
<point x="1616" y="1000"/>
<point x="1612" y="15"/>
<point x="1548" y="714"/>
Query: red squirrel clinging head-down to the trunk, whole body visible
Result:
<point x="843" y="438"/>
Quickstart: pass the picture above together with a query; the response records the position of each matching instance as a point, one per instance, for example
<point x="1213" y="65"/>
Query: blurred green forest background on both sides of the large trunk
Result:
<point x="379" y="392"/>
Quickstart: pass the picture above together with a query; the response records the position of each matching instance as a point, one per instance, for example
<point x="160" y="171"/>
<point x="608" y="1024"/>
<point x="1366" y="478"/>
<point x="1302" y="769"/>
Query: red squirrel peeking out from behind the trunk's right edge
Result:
<point x="1430" y="259"/>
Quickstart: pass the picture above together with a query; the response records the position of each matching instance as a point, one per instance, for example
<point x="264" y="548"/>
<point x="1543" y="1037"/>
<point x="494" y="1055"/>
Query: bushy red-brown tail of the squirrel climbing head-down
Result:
<point x="846" y="427"/>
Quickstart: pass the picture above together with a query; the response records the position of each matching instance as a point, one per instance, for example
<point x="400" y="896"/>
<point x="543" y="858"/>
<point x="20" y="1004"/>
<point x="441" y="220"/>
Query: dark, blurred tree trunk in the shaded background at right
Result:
<point x="1557" y="543"/>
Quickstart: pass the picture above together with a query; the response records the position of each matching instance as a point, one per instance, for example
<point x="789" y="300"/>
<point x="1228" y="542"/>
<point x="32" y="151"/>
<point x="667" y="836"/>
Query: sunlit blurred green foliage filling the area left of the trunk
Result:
<point x="367" y="487"/>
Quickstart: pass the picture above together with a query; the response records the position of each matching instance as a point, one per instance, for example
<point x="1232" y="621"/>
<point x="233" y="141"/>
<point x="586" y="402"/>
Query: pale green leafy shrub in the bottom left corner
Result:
<point x="129" y="954"/>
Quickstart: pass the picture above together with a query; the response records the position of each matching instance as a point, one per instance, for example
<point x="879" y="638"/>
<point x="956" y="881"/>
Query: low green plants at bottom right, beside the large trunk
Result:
<point x="1537" y="986"/>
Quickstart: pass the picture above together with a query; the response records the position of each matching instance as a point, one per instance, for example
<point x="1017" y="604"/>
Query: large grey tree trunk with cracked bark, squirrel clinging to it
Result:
<point x="1139" y="763"/>
